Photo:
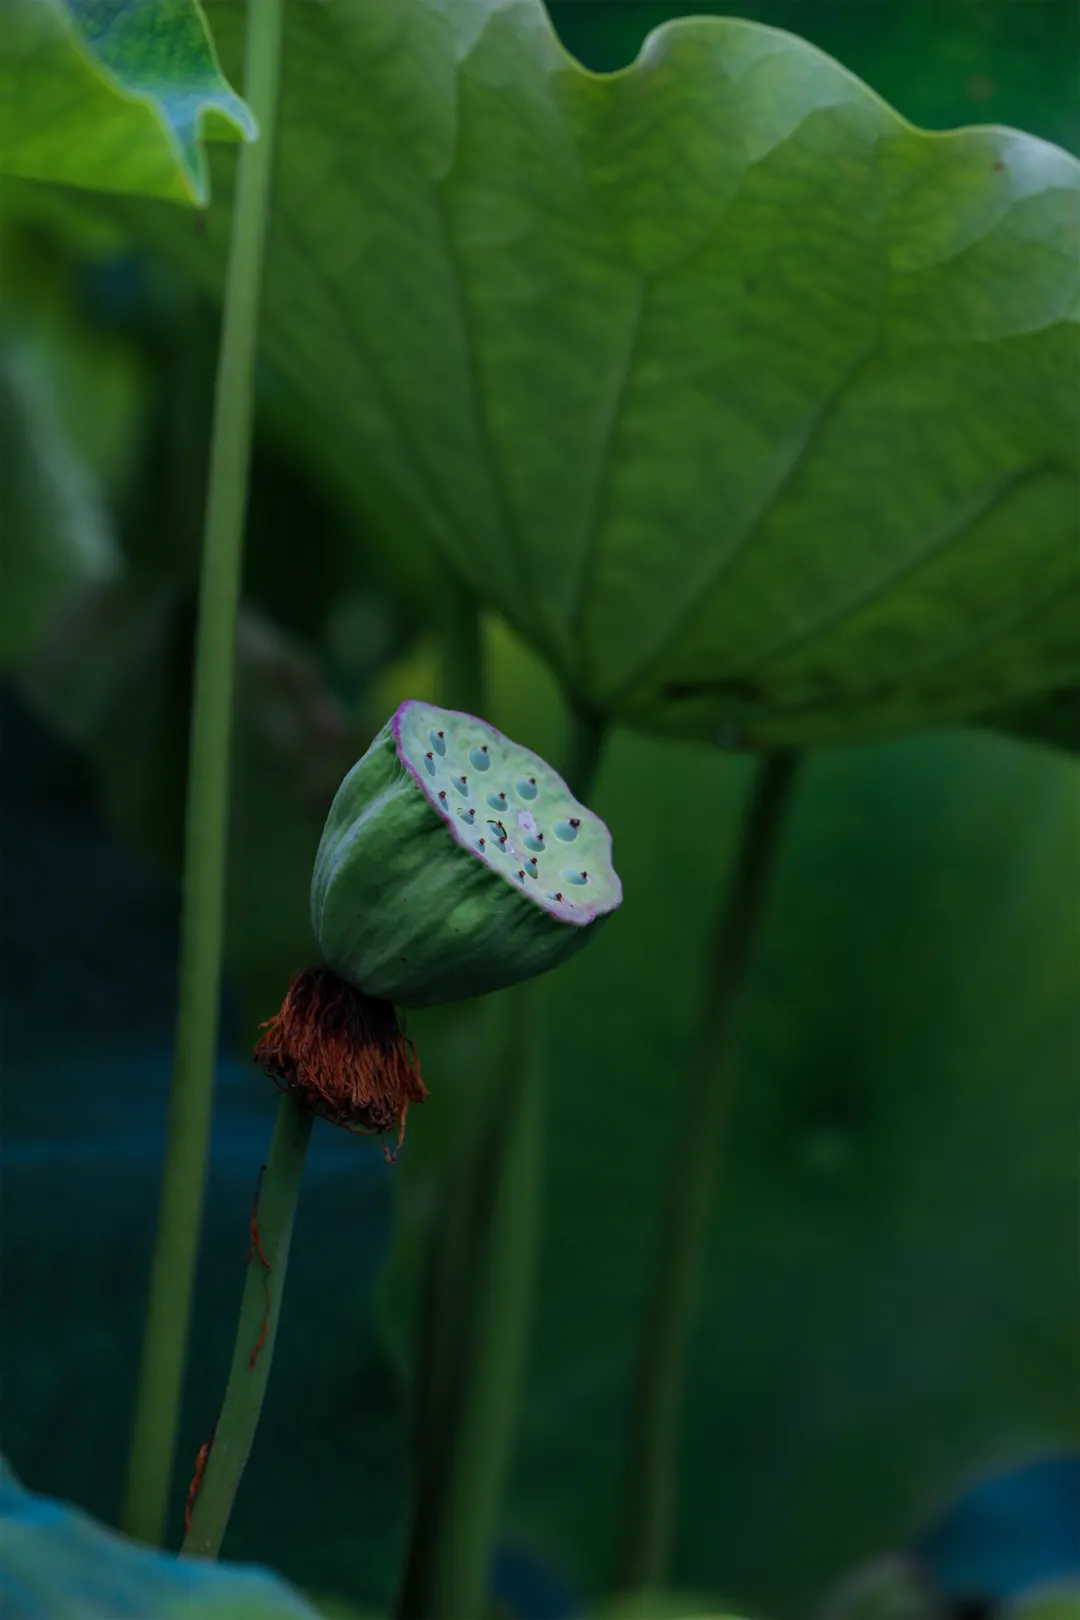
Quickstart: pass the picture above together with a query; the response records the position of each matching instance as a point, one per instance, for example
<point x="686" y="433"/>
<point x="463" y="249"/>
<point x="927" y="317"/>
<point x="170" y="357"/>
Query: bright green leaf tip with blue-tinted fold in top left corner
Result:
<point x="113" y="95"/>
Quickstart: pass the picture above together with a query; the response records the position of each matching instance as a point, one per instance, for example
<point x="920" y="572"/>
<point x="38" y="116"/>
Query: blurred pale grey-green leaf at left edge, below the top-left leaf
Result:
<point x="54" y="532"/>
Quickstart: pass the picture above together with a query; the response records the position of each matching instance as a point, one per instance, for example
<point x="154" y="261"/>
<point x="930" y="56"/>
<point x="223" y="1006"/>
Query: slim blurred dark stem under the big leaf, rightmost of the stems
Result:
<point x="652" y="1480"/>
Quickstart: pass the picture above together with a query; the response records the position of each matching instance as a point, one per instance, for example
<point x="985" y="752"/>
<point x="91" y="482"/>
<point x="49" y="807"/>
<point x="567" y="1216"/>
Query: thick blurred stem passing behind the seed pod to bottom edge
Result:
<point x="478" y="1303"/>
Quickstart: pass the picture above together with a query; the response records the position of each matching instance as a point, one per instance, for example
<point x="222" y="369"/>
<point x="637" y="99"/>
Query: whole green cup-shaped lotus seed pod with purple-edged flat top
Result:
<point x="456" y="863"/>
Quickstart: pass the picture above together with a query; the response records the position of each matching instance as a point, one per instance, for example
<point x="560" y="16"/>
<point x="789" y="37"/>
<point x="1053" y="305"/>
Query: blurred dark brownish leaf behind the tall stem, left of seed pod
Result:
<point x="116" y="680"/>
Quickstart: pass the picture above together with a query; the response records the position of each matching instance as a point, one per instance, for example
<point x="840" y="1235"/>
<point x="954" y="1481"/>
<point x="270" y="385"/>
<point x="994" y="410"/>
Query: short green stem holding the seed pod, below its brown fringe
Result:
<point x="257" y="1331"/>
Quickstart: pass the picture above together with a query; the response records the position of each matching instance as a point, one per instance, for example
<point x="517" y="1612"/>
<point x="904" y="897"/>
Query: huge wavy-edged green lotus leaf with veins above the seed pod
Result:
<point x="749" y="404"/>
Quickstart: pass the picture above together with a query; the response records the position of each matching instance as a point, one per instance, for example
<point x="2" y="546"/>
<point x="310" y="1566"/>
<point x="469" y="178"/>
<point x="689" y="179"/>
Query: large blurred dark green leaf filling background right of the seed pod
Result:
<point x="890" y="1303"/>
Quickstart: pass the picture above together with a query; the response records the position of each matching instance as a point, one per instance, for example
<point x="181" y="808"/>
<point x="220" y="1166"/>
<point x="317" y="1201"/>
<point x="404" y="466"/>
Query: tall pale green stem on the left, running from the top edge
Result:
<point x="189" y="1128"/>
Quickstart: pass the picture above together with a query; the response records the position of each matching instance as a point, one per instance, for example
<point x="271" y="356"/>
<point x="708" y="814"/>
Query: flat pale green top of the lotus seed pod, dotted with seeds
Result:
<point x="511" y="809"/>
